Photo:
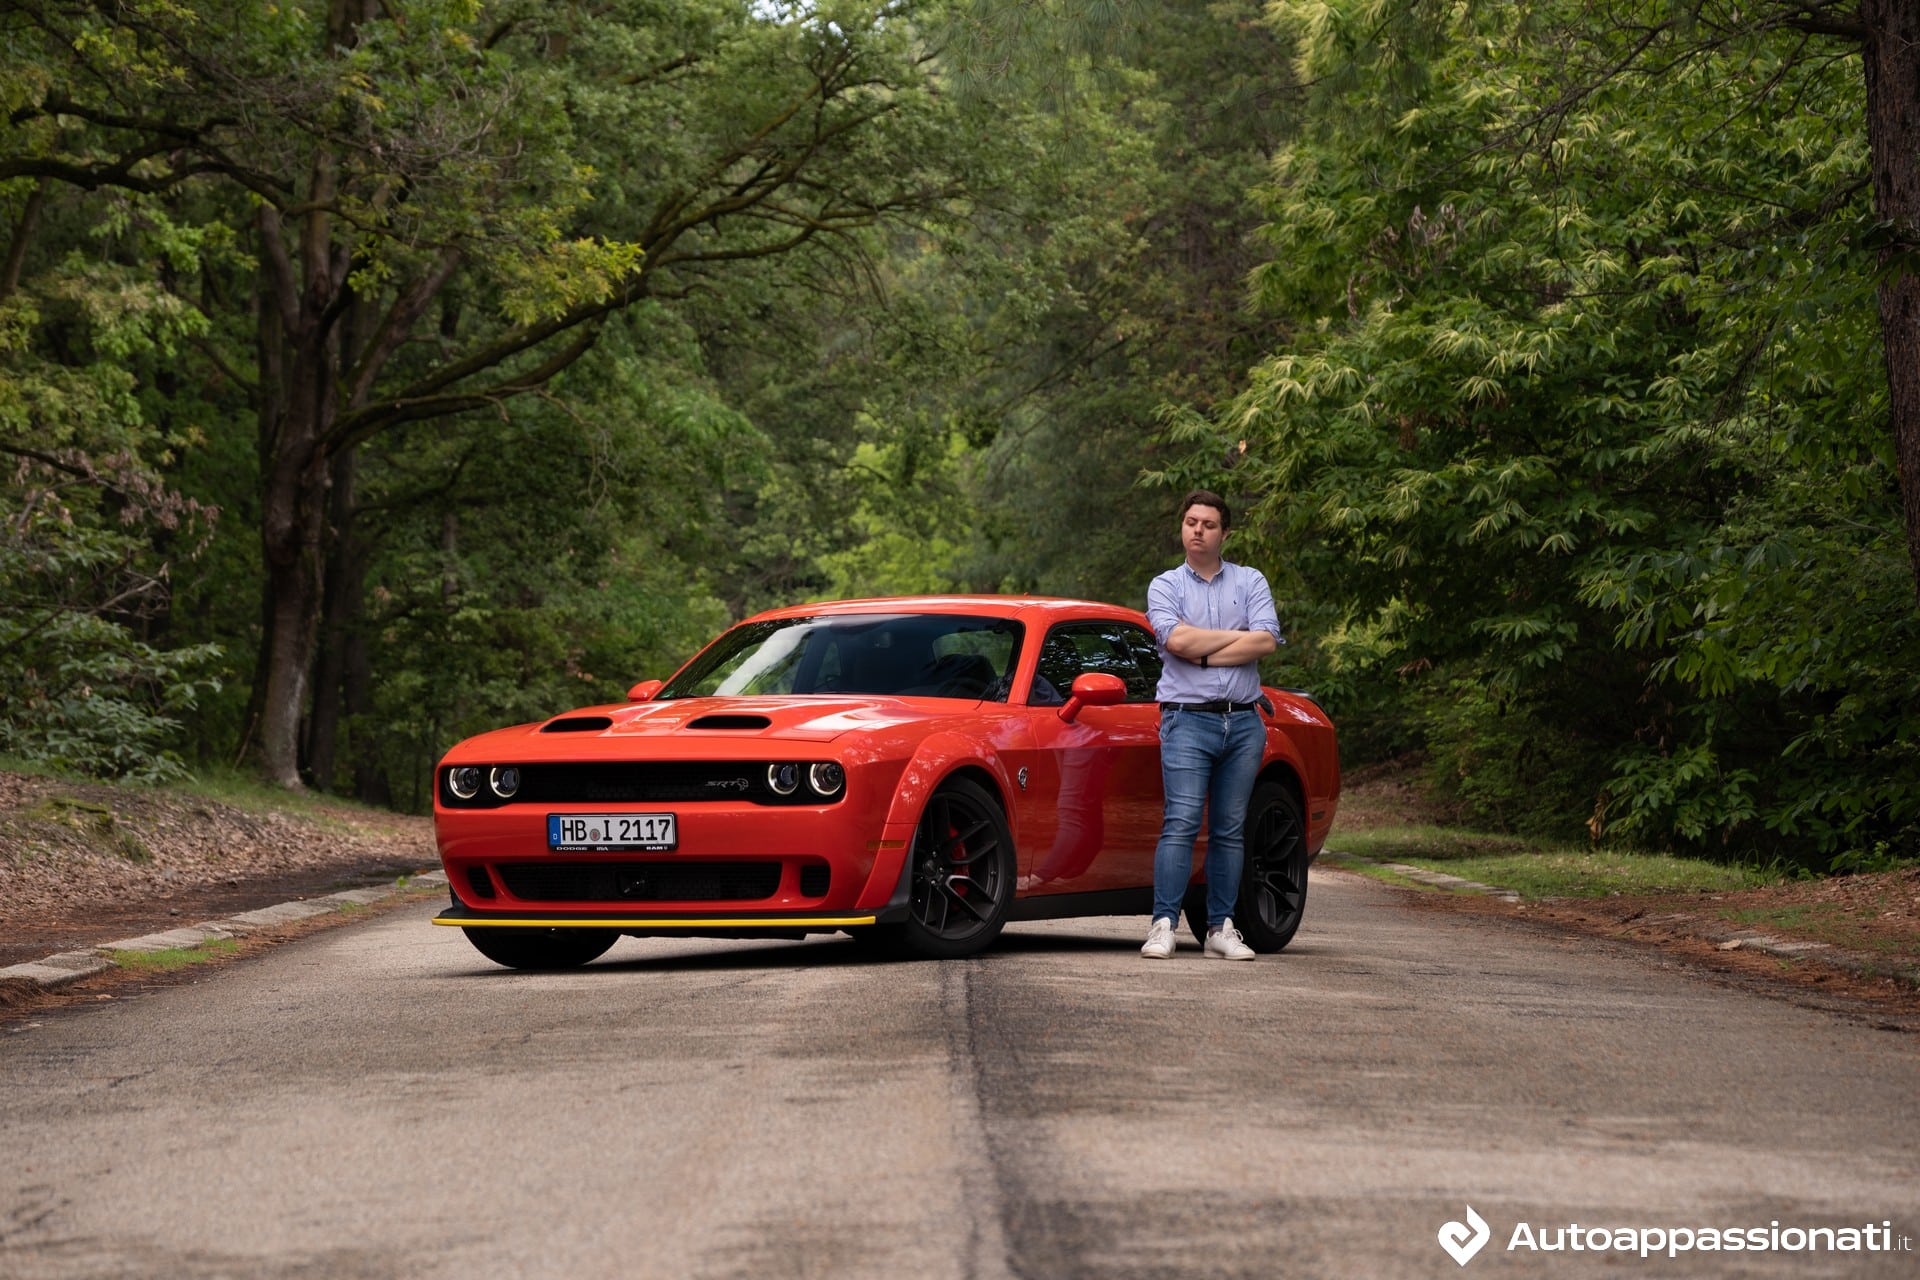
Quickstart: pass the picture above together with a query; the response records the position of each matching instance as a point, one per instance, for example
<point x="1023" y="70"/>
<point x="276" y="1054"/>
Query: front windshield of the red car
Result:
<point x="903" y="655"/>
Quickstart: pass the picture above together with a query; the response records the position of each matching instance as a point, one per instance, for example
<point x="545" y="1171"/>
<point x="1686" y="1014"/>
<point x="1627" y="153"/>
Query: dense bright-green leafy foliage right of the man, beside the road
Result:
<point x="1573" y="435"/>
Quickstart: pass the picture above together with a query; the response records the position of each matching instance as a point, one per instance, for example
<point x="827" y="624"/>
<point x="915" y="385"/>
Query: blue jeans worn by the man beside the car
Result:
<point x="1209" y="761"/>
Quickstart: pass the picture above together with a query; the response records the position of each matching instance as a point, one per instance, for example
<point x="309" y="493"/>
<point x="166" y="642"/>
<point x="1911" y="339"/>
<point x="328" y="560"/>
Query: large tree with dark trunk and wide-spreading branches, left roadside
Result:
<point x="448" y="201"/>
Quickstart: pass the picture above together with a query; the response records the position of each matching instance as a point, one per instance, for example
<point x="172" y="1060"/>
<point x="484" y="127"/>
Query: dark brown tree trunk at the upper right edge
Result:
<point x="1892" y="128"/>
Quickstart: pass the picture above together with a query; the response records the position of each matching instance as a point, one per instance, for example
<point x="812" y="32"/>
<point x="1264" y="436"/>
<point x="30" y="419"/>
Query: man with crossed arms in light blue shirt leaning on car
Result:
<point x="1214" y="623"/>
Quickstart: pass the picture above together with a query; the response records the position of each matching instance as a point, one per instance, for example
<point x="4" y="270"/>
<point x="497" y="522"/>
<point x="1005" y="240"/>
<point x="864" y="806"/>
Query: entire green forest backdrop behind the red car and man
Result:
<point x="383" y="371"/>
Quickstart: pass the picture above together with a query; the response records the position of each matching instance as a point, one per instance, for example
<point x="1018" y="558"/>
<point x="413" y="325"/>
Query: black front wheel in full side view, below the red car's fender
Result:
<point x="963" y="878"/>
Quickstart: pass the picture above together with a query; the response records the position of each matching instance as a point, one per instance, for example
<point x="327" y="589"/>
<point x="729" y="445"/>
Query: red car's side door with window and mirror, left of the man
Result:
<point x="1101" y="772"/>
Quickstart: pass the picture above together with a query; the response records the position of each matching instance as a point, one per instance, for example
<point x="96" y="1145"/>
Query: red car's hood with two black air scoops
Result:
<point x="800" y="721"/>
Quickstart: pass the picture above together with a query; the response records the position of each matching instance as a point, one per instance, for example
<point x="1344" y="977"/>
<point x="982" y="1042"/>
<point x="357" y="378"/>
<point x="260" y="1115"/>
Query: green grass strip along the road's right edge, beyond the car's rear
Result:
<point x="1545" y="870"/>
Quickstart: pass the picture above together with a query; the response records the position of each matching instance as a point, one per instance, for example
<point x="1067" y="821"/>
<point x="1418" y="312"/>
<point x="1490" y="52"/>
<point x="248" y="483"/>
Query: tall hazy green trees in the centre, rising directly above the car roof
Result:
<point x="1103" y="277"/>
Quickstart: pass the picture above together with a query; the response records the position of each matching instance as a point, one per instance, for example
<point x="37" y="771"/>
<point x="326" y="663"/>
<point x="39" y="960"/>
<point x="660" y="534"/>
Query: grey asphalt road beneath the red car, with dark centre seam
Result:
<point x="379" y="1101"/>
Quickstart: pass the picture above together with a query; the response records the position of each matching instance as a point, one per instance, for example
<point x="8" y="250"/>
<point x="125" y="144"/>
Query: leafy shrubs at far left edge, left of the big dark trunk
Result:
<point x="85" y="510"/>
